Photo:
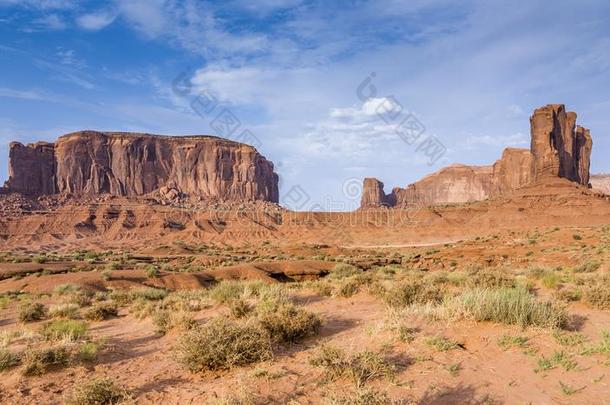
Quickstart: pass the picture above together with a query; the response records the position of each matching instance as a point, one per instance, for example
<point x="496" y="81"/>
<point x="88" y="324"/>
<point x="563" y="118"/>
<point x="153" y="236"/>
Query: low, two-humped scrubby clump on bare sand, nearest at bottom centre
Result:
<point x="360" y="367"/>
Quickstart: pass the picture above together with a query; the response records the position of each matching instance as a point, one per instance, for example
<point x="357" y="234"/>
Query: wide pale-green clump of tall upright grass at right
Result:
<point x="511" y="306"/>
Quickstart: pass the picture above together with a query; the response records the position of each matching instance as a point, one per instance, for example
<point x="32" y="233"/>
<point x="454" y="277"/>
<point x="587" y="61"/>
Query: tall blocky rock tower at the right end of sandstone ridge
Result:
<point x="559" y="148"/>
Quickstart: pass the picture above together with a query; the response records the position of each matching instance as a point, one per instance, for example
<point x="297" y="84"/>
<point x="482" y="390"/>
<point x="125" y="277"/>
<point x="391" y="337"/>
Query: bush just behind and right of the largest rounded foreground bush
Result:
<point x="290" y="324"/>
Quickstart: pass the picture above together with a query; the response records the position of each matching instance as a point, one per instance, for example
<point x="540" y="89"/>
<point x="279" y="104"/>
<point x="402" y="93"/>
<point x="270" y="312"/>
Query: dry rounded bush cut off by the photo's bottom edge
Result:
<point x="98" y="391"/>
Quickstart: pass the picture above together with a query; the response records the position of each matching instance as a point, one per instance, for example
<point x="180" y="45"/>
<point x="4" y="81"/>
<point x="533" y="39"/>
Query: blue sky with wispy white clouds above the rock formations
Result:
<point x="471" y="72"/>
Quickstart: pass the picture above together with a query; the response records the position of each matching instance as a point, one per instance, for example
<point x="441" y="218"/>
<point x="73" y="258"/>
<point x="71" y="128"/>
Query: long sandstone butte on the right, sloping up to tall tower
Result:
<point x="559" y="148"/>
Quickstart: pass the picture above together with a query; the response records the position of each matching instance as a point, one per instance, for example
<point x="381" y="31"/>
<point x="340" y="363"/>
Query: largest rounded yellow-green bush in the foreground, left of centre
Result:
<point x="222" y="344"/>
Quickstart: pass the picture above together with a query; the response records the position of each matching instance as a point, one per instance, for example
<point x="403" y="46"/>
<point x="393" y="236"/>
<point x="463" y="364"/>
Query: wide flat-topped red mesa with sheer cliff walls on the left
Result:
<point x="133" y="164"/>
